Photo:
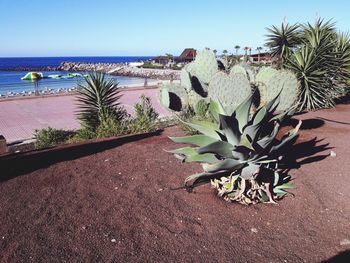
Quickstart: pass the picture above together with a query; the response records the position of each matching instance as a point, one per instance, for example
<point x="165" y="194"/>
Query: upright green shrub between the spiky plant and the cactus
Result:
<point x="145" y="119"/>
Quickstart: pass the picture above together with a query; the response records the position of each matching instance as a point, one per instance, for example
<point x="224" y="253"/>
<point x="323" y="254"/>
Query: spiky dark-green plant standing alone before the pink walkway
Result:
<point x="98" y="101"/>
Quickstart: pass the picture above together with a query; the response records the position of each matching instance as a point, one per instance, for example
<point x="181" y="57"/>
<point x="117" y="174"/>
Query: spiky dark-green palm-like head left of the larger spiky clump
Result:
<point x="282" y="41"/>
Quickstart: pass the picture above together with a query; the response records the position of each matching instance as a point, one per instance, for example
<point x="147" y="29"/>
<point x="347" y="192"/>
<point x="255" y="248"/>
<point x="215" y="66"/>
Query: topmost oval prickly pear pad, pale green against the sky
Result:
<point x="205" y="66"/>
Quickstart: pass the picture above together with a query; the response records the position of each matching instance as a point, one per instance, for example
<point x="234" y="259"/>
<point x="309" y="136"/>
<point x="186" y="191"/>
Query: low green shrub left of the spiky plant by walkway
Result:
<point x="50" y="137"/>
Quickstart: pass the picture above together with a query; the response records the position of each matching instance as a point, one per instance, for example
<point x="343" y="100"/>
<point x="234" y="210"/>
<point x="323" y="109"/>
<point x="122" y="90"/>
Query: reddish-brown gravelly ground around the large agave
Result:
<point x="111" y="201"/>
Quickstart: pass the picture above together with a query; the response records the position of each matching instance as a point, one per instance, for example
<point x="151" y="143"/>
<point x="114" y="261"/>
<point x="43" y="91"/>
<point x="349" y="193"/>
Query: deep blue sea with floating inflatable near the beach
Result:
<point x="11" y="83"/>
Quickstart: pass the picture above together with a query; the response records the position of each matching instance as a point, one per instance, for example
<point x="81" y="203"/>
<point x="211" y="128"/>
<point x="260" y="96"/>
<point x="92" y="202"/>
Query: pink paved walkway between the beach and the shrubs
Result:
<point x="20" y="117"/>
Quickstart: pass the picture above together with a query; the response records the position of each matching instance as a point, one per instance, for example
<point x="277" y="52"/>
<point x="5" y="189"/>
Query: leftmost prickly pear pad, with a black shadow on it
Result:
<point x="173" y="96"/>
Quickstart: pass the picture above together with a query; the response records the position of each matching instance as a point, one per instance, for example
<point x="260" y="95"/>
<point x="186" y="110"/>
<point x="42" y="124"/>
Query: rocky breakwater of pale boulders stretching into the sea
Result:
<point x="121" y="69"/>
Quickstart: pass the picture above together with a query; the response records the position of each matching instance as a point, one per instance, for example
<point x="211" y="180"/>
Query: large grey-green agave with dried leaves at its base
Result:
<point x="240" y="154"/>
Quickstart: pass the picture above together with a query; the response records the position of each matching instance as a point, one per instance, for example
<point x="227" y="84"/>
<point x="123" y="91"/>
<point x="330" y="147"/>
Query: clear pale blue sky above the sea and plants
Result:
<point x="148" y="27"/>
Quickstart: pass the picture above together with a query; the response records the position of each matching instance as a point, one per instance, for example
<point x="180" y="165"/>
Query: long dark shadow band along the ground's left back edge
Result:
<point x="15" y="165"/>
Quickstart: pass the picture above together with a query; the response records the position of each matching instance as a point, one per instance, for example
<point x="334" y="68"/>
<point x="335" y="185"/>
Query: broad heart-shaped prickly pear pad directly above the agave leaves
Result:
<point x="230" y="91"/>
